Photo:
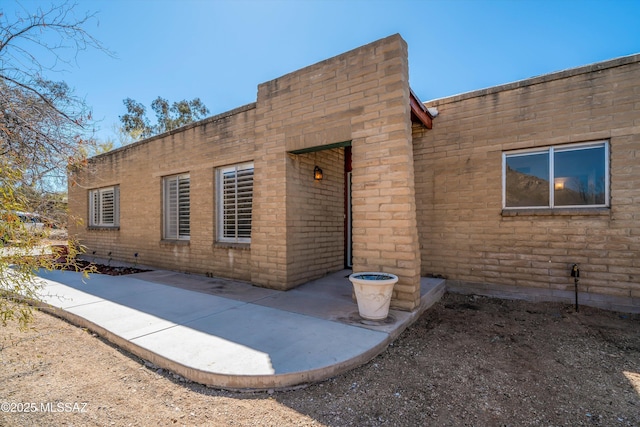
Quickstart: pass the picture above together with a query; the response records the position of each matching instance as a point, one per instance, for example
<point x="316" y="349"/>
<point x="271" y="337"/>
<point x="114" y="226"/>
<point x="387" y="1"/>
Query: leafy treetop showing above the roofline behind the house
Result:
<point x="168" y="116"/>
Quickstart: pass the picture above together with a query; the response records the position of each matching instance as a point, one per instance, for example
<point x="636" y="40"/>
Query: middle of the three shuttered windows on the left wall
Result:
<point x="177" y="210"/>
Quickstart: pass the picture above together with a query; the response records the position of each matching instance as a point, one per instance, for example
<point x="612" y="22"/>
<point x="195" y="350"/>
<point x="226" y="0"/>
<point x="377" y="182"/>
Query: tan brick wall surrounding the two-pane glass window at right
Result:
<point x="464" y="234"/>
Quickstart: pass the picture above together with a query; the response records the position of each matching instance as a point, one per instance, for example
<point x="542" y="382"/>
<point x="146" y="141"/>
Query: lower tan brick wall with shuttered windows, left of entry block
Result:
<point x="139" y="168"/>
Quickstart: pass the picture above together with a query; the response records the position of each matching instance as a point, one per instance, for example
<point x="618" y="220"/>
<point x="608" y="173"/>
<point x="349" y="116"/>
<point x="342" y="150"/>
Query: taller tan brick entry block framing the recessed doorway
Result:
<point x="361" y="96"/>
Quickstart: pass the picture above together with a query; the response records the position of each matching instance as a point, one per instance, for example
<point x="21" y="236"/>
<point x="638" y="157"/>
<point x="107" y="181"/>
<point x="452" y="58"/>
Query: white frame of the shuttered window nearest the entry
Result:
<point x="221" y="235"/>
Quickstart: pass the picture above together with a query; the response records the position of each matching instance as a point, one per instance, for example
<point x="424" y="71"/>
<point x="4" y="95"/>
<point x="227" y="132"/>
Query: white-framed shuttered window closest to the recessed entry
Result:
<point x="235" y="202"/>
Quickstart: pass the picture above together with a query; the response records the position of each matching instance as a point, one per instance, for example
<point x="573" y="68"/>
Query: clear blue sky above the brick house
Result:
<point x="220" y="50"/>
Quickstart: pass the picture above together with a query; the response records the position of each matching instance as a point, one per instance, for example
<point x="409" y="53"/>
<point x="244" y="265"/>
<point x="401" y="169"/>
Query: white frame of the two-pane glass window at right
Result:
<point x="550" y="151"/>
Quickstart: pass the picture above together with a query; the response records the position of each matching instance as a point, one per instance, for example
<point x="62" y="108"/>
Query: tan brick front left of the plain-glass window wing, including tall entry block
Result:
<point x="298" y="230"/>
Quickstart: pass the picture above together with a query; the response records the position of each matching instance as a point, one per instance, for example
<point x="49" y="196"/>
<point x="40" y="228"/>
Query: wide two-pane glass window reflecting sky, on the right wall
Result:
<point x="557" y="177"/>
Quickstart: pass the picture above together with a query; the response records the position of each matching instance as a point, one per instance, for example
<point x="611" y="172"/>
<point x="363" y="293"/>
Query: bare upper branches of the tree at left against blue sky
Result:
<point x="42" y="123"/>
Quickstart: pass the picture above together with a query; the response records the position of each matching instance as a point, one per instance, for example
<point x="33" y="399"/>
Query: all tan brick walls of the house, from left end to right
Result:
<point x="423" y="201"/>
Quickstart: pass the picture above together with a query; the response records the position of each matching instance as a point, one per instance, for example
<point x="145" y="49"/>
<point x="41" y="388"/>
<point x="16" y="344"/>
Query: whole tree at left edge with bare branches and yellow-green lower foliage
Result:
<point x="44" y="130"/>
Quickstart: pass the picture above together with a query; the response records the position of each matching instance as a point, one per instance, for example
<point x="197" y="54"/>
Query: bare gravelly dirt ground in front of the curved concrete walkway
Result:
<point x="468" y="361"/>
